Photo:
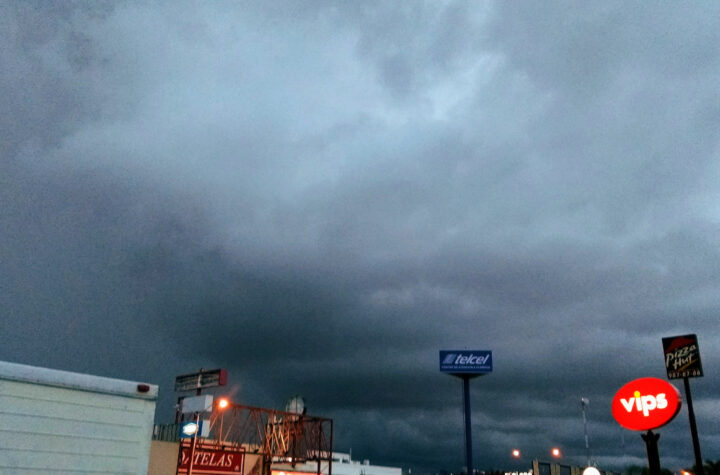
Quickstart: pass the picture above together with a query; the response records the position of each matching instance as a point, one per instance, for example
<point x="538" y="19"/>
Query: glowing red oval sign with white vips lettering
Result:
<point x="646" y="403"/>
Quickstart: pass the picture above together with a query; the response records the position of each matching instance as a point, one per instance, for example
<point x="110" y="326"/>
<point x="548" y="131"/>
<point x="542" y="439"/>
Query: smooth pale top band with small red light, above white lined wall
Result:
<point x="77" y="381"/>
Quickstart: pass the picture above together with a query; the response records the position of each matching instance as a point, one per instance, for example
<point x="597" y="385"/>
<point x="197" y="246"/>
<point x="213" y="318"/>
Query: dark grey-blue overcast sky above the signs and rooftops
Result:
<point x="319" y="196"/>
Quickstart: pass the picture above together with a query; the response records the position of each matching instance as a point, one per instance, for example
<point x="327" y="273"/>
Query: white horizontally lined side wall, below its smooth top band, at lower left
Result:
<point x="47" y="429"/>
